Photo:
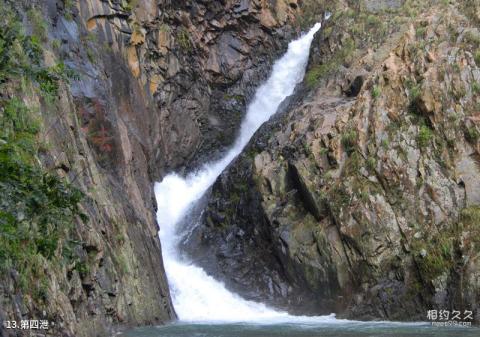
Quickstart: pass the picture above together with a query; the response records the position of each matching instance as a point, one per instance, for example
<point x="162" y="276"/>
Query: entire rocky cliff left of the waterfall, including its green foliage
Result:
<point x="98" y="100"/>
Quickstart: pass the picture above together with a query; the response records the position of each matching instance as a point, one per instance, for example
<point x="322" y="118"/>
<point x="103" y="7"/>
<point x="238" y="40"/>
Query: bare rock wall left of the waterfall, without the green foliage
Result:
<point x="161" y="85"/>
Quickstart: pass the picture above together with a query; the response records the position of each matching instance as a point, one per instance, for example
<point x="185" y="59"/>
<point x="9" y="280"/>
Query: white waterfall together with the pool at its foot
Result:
<point x="203" y="305"/>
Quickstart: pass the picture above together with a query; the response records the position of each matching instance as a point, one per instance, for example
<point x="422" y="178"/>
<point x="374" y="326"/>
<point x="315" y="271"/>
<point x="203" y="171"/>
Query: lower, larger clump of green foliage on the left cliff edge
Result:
<point x="40" y="207"/>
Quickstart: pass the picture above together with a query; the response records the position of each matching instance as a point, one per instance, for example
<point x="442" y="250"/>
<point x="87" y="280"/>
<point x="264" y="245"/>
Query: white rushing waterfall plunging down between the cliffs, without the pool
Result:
<point x="197" y="296"/>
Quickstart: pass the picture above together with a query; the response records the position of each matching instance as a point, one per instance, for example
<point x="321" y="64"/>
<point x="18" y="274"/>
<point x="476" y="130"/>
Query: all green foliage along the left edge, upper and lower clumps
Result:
<point x="38" y="208"/>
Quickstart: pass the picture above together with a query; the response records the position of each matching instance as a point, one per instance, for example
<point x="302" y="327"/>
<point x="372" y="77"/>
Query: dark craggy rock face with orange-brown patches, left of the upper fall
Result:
<point x="200" y="61"/>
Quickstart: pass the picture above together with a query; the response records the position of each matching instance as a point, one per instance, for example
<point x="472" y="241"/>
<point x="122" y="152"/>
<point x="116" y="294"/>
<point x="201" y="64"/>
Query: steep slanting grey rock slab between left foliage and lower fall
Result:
<point x="107" y="269"/>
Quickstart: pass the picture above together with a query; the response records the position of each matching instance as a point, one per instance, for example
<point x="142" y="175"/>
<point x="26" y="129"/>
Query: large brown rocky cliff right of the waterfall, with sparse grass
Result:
<point x="362" y="196"/>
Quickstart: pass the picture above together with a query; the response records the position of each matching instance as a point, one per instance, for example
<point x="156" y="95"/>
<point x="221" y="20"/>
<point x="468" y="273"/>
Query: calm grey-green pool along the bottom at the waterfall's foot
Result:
<point x="350" y="329"/>
